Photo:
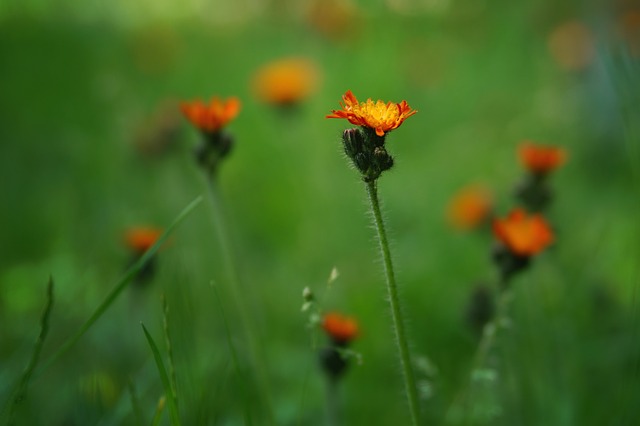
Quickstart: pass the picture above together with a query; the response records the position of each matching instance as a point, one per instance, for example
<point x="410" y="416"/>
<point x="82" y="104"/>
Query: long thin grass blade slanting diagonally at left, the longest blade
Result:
<point x="117" y="289"/>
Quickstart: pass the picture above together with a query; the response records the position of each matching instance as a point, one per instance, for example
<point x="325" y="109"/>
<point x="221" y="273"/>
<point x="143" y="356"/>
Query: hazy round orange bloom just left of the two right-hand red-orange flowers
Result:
<point x="470" y="207"/>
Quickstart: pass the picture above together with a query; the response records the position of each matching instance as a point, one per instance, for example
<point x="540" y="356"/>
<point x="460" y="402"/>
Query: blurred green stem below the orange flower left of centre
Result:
<point x="247" y="324"/>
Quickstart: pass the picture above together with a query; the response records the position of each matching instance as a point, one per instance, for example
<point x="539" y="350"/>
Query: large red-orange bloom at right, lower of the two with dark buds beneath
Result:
<point x="523" y="235"/>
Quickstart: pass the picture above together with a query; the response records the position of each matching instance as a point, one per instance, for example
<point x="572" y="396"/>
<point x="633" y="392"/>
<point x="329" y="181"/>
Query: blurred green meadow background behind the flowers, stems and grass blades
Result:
<point x="92" y="144"/>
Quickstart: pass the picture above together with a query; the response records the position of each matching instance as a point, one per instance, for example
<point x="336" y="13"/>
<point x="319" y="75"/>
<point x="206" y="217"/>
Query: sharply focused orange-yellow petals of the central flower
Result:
<point x="376" y="115"/>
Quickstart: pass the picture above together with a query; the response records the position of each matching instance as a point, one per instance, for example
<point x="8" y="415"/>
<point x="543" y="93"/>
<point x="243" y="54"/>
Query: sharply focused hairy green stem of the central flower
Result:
<point x="394" y="301"/>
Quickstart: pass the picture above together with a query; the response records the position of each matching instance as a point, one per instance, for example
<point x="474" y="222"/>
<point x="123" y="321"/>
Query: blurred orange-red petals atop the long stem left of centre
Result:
<point x="213" y="117"/>
